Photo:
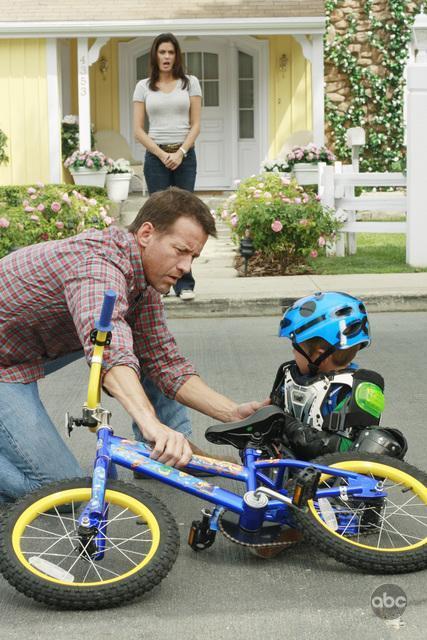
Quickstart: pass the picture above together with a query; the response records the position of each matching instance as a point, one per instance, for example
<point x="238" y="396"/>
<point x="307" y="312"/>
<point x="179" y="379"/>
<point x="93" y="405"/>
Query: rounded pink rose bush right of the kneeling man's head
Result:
<point x="288" y="226"/>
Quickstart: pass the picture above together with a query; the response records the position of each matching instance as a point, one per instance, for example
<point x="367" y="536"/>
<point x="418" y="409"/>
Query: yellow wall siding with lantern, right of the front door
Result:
<point x="290" y="92"/>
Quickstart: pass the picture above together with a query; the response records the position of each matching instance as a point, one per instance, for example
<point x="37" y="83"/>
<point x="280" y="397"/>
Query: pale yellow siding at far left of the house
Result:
<point x="23" y="111"/>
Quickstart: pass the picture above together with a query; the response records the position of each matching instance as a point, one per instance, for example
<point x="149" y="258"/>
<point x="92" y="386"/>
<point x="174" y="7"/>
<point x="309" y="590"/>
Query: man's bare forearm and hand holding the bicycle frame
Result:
<point x="169" y="446"/>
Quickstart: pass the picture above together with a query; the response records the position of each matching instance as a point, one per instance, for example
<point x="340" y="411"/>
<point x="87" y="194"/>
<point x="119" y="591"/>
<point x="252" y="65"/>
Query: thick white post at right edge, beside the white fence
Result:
<point x="416" y="245"/>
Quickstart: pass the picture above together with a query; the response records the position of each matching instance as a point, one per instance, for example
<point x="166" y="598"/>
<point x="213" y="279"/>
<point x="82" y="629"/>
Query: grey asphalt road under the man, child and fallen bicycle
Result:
<point x="225" y="592"/>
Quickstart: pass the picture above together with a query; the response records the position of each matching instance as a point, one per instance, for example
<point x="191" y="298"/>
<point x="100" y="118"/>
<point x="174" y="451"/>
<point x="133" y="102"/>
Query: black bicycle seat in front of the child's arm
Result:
<point x="259" y="427"/>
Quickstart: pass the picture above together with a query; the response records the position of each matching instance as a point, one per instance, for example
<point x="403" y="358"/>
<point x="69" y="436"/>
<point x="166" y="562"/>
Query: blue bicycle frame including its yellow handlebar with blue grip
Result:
<point x="113" y="450"/>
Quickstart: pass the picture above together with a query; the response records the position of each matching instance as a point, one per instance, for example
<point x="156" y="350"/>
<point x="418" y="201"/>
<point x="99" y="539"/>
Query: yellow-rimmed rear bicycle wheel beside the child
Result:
<point x="379" y="535"/>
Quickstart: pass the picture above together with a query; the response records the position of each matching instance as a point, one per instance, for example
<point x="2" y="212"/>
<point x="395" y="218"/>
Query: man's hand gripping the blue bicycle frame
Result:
<point x="169" y="446"/>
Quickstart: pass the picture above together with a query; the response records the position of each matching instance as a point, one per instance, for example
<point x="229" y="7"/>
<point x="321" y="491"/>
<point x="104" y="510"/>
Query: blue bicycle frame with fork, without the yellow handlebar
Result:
<point x="113" y="450"/>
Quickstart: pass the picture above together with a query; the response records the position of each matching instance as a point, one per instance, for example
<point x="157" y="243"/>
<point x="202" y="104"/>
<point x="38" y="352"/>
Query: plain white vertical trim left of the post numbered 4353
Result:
<point x="54" y="111"/>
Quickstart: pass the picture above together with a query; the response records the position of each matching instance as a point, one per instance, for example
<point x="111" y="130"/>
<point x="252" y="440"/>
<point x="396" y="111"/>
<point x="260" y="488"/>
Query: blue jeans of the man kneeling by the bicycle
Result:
<point x="32" y="453"/>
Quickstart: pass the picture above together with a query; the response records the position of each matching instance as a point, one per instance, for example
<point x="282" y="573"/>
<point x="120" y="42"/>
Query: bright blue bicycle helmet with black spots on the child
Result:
<point x="336" y="317"/>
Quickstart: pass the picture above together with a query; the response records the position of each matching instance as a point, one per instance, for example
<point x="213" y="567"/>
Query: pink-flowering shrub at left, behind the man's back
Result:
<point x="38" y="213"/>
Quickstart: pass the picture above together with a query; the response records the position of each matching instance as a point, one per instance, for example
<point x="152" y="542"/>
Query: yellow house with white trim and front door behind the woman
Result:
<point x="260" y="63"/>
